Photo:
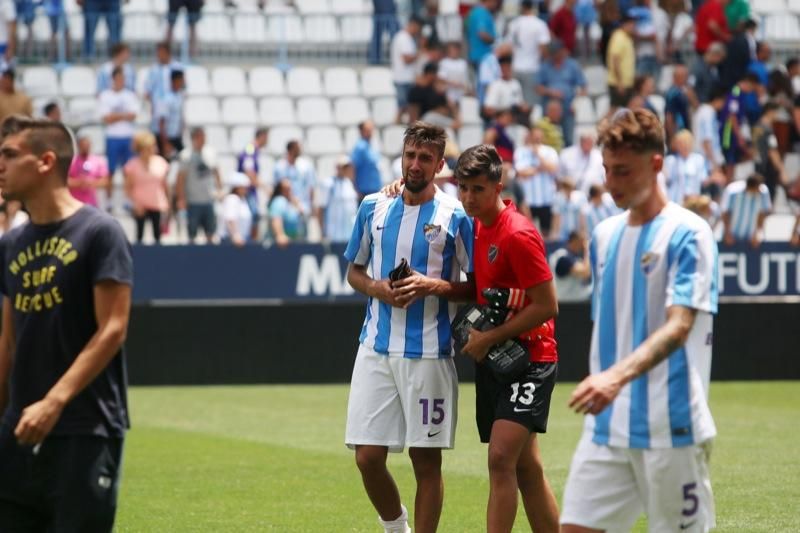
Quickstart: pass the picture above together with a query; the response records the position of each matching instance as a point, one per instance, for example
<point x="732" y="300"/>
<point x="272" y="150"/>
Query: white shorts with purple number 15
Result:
<point x="399" y="402"/>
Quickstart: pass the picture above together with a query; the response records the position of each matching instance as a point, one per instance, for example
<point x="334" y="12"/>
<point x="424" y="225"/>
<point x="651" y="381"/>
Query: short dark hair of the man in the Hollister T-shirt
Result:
<point x="43" y="135"/>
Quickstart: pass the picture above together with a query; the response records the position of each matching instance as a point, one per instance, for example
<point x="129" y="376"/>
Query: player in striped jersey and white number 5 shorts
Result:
<point x="648" y="426"/>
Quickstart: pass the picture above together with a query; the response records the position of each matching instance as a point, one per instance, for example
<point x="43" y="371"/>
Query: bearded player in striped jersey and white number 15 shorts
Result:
<point x="404" y="390"/>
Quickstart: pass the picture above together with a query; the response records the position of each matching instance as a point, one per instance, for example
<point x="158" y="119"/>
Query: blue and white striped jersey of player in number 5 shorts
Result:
<point x="639" y="272"/>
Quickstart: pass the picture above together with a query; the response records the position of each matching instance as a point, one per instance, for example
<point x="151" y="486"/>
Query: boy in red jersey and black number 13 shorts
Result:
<point x="509" y="253"/>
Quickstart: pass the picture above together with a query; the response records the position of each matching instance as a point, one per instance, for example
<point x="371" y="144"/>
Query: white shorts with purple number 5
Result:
<point x="608" y="488"/>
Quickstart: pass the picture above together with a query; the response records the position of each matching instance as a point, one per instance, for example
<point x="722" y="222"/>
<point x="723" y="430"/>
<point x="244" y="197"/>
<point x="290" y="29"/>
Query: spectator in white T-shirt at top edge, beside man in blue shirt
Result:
<point x="529" y="36"/>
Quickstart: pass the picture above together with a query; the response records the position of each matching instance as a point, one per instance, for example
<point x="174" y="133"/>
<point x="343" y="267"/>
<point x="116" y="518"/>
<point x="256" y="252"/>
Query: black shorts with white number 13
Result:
<point x="526" y="401"/>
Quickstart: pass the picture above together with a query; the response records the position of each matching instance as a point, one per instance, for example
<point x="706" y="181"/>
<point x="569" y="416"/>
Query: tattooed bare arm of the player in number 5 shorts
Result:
<point x="595" y="392"/>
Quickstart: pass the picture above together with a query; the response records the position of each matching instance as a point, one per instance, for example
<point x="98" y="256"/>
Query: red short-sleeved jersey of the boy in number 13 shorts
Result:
<point x="510" y="254"/>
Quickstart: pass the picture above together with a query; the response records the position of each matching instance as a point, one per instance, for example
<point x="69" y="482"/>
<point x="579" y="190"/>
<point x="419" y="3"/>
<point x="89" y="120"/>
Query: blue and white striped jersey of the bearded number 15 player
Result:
<point x="436" y="238"/>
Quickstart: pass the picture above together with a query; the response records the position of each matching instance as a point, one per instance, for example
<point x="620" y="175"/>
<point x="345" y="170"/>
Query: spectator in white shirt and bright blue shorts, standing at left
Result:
<point x="118" y="109"/>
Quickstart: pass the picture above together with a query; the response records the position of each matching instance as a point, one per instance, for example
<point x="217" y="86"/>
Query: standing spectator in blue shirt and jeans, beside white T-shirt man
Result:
<point x="561" y="78"/>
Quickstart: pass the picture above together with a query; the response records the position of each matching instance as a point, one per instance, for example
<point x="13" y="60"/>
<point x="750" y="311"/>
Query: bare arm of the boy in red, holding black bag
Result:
<point x="543" y="307"/>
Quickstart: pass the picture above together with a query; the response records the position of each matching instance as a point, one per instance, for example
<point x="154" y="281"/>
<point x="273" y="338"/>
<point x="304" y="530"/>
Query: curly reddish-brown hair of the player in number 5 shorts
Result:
<point x="632" y="129"/>
